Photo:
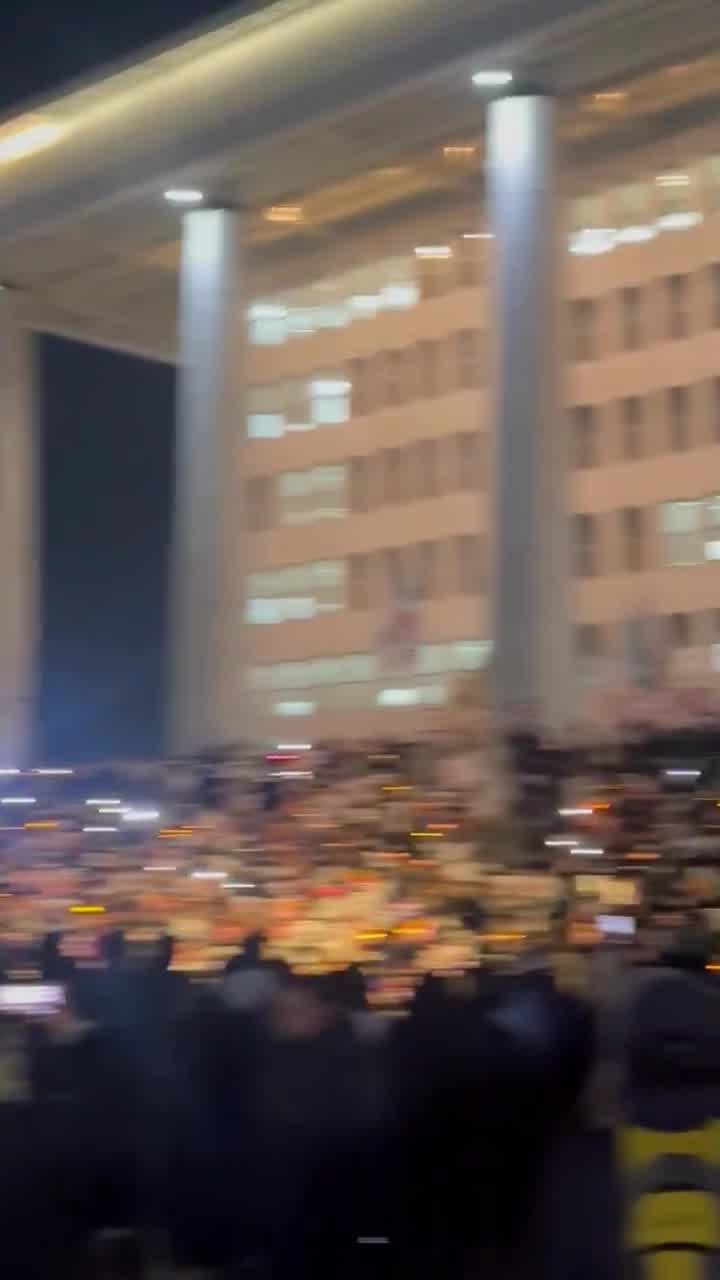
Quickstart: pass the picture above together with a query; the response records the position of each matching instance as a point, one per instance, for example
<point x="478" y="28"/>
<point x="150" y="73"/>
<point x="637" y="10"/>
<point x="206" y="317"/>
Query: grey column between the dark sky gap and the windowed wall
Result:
<point x="208" y="636"/>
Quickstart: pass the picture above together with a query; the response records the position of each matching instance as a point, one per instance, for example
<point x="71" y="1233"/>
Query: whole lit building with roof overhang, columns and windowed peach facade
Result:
<point x="443" y="285"/>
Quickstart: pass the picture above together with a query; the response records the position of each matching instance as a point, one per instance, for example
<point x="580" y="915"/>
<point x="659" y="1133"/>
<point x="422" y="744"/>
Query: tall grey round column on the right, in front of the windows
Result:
<point x="534" y="657"/>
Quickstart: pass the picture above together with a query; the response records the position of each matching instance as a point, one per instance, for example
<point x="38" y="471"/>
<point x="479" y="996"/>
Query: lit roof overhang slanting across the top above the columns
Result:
<point x="299" y="97"/>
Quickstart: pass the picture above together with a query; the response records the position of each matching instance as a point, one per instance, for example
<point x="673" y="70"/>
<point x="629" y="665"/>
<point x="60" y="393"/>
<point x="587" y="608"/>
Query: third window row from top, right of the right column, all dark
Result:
<point x="667" y="422"/>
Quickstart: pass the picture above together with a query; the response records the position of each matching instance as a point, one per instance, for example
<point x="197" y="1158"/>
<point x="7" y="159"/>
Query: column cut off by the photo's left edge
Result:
<point x="19" y="542"/>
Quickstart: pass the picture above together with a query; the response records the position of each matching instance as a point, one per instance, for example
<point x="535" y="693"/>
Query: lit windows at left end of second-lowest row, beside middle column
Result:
<point x="297" y="593"/>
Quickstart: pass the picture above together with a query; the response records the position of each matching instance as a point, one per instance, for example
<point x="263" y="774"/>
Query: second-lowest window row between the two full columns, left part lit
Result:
<point x="421" y="572"/>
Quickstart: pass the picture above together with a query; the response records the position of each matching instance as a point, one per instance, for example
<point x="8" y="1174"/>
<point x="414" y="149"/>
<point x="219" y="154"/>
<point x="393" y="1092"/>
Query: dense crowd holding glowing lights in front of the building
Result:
<point x="326" y="1011"/>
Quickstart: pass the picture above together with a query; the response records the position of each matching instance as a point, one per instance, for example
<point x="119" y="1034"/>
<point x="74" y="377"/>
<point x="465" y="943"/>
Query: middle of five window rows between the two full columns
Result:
<point x="426" y="469"/>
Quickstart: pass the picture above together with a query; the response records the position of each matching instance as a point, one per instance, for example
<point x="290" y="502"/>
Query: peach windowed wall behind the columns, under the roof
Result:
<point x="371" y="447"/>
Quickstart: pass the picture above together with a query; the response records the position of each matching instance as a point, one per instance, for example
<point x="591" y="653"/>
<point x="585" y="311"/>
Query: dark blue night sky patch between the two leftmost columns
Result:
<point x="107" y="472"/>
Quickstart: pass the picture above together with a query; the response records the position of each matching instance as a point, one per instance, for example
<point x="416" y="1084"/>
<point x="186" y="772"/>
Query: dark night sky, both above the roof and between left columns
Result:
<point x="107" y="435"/>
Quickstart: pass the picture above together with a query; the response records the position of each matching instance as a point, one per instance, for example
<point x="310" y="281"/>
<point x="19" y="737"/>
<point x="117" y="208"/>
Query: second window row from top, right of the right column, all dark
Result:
<point x="664" y="312"/>
